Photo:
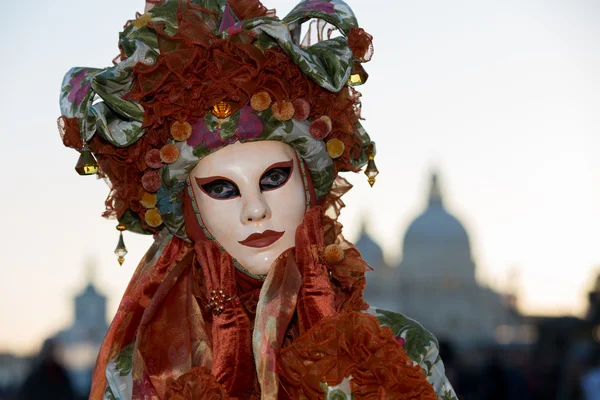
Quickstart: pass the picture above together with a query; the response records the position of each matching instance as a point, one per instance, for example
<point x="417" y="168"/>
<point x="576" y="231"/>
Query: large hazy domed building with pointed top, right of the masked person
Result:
<point x="435" y="281"/>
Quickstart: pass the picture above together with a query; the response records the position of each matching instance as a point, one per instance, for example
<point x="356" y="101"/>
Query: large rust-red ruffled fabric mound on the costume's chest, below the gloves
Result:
<point x="351" y="344"/>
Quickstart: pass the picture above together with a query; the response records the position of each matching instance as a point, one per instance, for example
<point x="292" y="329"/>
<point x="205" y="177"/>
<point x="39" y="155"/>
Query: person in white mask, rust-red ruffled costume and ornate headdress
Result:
<point x="221" y="133"/>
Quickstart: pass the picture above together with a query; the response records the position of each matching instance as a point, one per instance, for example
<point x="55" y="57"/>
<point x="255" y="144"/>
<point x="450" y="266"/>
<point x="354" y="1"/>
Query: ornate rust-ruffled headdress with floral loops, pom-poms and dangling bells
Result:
<point x="193" y="76"/>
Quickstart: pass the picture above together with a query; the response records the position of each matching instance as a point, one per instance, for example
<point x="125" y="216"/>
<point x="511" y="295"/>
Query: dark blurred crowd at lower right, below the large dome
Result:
<point x="557" y="372"/>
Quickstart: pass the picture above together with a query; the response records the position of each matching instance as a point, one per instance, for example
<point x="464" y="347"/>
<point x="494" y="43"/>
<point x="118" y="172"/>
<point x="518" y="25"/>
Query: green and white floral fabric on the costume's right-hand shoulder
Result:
<point x="421" y="346"/>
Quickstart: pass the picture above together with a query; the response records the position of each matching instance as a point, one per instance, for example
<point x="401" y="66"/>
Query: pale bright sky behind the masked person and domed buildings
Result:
<point x="503" y="98"/>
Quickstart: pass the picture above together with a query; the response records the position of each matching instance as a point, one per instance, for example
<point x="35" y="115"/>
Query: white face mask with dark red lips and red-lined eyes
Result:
<point x="251" y="199"/>
